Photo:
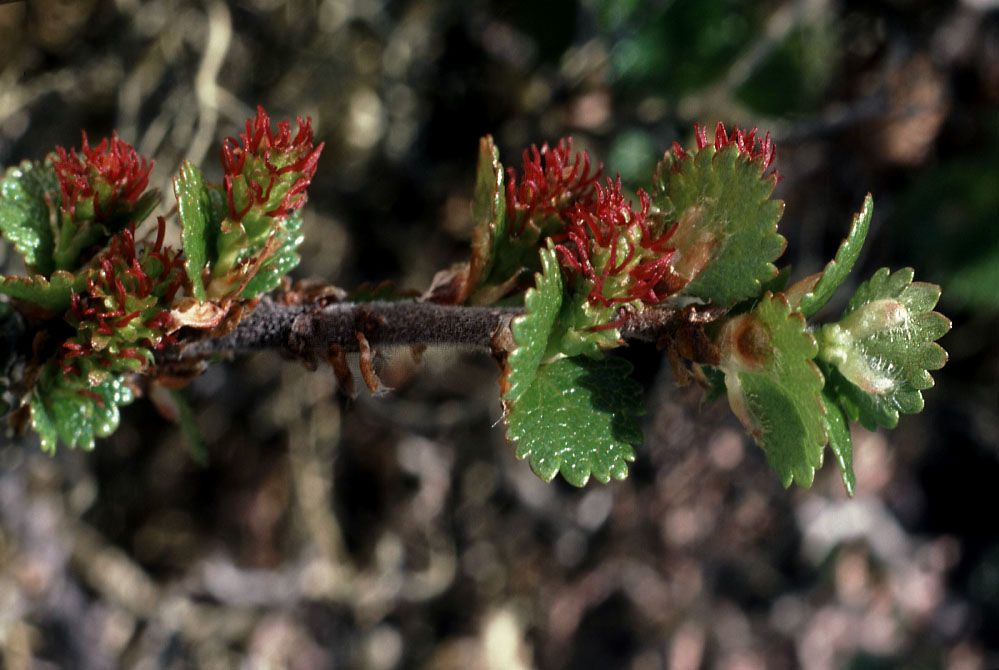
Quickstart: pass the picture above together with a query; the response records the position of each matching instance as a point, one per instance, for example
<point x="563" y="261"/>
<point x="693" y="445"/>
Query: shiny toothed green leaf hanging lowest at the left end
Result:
<point x="67" y="409"/>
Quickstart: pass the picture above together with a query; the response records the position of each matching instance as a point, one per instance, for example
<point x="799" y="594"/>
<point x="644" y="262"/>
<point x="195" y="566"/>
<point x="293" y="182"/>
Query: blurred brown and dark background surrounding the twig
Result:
<point x="399" y="531"/>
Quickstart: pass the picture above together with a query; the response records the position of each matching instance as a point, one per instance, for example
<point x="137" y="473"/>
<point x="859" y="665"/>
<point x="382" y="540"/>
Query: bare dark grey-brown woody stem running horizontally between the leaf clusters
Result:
<point x="310" y="331"/>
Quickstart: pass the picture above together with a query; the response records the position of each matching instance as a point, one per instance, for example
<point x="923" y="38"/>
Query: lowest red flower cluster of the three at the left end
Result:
<point x="122" y="275"/>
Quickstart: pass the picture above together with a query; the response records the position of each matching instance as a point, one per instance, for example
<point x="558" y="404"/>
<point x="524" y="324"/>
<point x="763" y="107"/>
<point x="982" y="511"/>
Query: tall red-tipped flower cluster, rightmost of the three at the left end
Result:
<point x="276" y="161"/>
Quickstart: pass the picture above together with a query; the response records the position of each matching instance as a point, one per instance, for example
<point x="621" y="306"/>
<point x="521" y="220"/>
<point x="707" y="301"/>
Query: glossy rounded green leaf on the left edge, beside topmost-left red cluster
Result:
<point x="29" y="201"/>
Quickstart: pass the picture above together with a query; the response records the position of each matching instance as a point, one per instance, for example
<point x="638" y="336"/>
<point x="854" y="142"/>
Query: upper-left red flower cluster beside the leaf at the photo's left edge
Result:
<point x="105" y="175"/>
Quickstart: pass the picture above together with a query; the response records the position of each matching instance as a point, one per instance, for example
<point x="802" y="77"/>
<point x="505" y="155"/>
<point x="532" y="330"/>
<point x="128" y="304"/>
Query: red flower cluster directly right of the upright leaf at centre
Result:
<point x="552" y="189"/>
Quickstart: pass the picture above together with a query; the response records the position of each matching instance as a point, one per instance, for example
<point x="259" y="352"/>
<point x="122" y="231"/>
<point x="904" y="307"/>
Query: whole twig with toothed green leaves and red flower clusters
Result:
<point x="565" y="267"/>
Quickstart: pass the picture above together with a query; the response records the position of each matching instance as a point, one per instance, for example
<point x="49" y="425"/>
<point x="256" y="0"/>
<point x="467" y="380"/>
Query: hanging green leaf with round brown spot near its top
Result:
<point x="773" y="387"/>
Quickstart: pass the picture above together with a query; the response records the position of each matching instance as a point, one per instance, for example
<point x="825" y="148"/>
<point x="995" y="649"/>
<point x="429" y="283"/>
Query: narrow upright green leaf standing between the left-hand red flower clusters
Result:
<point x="199" y="224"/>
